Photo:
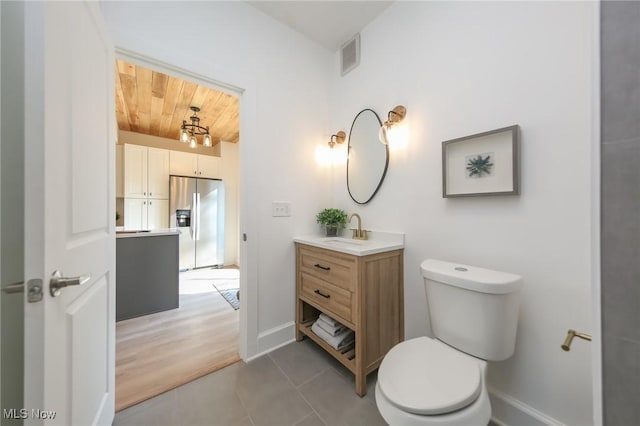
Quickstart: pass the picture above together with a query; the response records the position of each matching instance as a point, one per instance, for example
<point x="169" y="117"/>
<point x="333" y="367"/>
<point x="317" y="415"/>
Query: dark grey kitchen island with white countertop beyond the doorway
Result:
<point x="146" y="272"/>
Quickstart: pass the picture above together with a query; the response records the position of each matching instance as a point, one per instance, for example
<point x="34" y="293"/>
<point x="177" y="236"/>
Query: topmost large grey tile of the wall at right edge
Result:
<point x="620" y="41"/>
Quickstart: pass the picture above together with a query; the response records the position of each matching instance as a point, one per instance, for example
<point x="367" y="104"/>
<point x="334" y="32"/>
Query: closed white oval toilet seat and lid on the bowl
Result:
<point x="426" y="377"/>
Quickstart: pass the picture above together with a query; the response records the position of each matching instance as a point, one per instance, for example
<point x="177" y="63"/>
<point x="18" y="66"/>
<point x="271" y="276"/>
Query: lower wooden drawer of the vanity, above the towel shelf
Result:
<point x="335" y="301"/>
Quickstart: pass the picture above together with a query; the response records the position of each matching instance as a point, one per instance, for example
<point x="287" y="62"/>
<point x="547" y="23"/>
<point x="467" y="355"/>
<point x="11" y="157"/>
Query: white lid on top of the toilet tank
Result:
<point x="471" y="277"/>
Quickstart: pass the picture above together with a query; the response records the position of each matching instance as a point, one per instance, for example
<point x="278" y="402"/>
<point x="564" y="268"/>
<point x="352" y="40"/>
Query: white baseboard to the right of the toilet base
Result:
<point x="508" y="411"/>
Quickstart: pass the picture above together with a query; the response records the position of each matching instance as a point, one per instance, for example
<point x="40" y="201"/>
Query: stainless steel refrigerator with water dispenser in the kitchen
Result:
<point x="196" y="208"/>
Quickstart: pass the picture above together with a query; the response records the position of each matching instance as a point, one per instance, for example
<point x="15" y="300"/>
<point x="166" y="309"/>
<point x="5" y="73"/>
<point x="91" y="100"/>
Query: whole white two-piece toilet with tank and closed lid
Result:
<point x="441" y="381"/>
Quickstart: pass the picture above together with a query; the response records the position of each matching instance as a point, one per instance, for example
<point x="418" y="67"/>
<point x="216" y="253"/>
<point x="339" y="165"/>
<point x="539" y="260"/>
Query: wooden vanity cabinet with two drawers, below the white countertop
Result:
<point x="365" y="293"/>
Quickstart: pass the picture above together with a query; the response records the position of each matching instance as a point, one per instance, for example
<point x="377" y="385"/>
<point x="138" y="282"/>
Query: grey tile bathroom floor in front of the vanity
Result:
<point x="298" y="384"/>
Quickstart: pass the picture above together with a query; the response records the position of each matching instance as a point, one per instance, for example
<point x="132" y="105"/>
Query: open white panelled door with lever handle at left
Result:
<point x="69" y="213"/>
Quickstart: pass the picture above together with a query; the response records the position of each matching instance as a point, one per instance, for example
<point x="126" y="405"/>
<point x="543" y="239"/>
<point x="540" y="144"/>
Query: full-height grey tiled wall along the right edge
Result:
<point x="620" y="233"/>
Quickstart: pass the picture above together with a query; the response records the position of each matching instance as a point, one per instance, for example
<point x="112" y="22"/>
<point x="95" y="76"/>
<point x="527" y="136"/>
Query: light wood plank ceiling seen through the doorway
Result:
<point x="154" y="103"/>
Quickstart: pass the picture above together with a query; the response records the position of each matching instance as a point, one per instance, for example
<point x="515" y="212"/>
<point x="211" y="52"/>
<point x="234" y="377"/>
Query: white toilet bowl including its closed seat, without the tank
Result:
<point x="423" y="381"/>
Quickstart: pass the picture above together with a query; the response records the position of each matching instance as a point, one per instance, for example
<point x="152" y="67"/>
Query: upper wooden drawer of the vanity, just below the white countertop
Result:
<point x="338" y="270"/>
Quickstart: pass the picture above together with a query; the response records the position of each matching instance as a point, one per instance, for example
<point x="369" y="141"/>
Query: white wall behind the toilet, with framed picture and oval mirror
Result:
<point x="468" y="67"/>
